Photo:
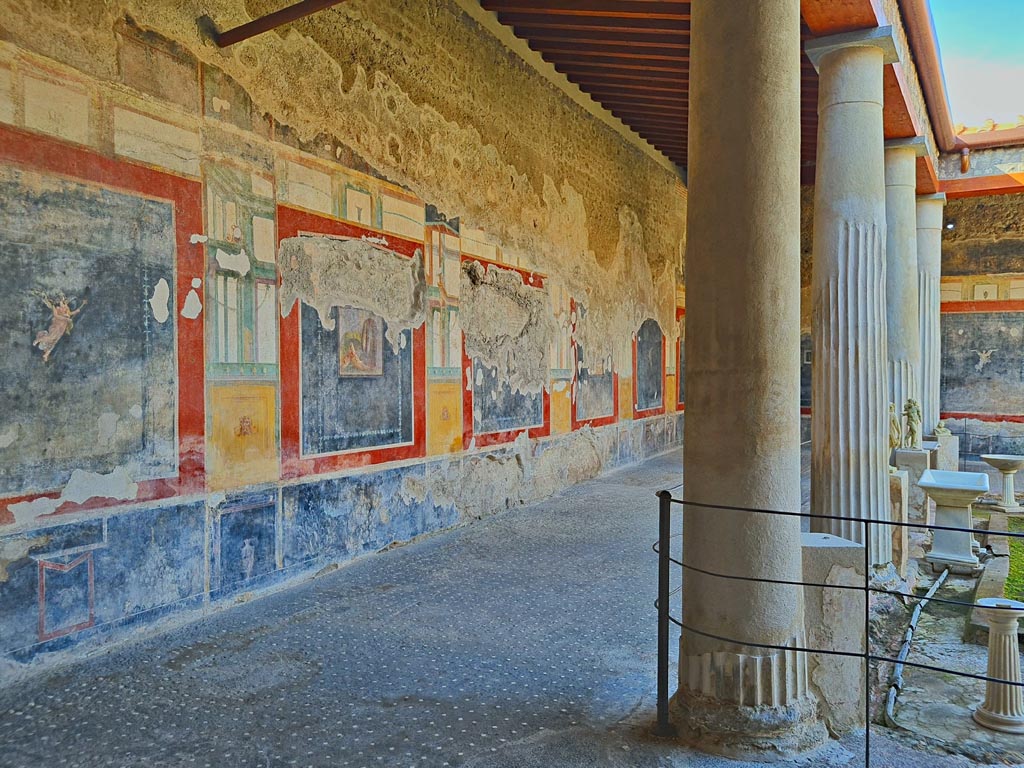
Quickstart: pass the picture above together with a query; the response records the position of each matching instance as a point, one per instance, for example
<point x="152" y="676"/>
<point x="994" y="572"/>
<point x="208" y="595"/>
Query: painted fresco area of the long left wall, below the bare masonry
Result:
<point x="211" y="438"/>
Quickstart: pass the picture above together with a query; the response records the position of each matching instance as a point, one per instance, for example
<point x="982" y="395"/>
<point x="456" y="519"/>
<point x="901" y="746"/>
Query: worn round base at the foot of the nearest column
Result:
<point x="755" y="734"/>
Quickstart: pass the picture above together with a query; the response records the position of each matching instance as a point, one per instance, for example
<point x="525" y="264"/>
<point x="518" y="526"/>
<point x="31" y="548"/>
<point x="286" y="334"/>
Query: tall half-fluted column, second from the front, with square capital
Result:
<point x="849" y="422"/>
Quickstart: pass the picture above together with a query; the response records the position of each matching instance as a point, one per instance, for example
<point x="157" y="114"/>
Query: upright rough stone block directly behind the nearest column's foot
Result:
<point x="834" y="619"/>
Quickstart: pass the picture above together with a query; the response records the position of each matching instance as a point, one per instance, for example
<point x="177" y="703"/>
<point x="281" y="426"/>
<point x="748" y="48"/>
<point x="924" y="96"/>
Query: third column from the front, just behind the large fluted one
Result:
<point x="903" y="309"/>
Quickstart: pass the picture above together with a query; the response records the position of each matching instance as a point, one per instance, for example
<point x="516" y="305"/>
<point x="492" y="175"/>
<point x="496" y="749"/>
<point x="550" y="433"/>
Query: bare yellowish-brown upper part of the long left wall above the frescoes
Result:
<point x="583" y="205"/>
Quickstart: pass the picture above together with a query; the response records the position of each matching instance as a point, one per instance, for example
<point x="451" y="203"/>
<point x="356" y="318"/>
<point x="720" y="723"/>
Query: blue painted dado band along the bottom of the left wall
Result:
<point x="73" y="585"/>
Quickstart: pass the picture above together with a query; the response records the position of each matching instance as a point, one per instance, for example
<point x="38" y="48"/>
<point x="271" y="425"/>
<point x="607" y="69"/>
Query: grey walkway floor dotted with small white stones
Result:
<point x="526" y="641"/>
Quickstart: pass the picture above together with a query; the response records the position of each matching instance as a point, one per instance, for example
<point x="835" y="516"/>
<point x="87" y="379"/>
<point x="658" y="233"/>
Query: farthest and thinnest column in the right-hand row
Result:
<point x="929" y="271"/>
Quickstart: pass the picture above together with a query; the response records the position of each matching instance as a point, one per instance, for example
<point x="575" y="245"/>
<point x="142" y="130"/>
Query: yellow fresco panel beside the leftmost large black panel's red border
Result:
<point x="242" y="446"/>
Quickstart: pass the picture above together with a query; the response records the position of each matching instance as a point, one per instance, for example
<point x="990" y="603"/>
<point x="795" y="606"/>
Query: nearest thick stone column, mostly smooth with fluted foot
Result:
<point x="742" y="442"/>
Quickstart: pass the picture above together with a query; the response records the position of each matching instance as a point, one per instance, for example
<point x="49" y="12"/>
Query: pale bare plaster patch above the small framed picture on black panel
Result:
<point x="326" y="273"/>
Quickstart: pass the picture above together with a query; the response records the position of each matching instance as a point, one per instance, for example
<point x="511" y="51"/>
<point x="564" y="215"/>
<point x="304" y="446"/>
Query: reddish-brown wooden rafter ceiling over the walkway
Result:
<point x="632" y="57"/>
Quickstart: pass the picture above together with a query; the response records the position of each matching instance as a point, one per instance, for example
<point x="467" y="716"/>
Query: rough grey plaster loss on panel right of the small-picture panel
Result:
<point x="507" y="325"/>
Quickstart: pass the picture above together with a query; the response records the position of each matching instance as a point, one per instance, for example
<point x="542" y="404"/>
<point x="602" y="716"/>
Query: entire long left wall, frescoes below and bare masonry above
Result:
<point x="394" y="159"/>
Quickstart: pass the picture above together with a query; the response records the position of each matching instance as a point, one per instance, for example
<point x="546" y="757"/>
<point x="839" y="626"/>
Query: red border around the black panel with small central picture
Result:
<point x="292" y="222"/>
